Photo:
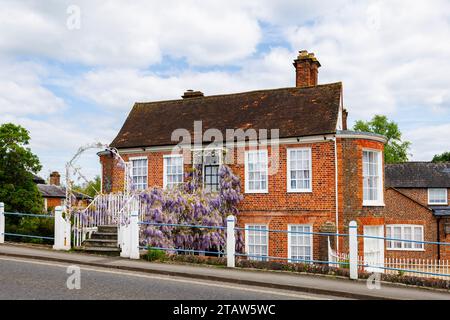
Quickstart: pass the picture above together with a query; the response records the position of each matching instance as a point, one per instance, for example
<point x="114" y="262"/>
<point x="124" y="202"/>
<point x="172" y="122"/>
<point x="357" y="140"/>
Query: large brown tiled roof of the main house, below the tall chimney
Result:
<point x="294" y="111"/>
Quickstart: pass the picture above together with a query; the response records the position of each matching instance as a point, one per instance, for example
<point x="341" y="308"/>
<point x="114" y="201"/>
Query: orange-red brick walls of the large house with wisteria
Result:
<point x="278" y="208"/>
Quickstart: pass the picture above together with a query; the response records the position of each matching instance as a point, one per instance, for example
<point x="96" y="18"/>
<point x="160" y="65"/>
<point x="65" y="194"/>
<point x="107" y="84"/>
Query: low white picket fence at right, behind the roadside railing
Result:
<point x="438" y="269"/>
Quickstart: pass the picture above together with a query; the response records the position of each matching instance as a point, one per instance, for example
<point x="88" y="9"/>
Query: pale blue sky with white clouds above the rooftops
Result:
<point x="70" y="71"/>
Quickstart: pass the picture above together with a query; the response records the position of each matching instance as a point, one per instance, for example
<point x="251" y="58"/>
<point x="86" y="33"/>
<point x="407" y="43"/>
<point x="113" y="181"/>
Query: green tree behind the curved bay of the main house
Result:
<point x="395" y="149"/>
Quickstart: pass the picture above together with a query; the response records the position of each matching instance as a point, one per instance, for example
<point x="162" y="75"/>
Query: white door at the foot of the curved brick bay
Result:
<point x="374" y="248"/>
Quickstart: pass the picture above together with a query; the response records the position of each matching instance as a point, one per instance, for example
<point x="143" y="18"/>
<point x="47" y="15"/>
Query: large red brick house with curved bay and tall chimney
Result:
<point x="317" y="177"/>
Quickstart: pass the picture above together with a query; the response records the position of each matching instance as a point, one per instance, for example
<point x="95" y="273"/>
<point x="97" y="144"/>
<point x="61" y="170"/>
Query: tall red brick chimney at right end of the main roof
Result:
<point x="306" y="69"/>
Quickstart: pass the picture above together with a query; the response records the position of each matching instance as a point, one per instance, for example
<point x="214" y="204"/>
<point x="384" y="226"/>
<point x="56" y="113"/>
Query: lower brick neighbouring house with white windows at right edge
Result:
<point x="417" y="208"/>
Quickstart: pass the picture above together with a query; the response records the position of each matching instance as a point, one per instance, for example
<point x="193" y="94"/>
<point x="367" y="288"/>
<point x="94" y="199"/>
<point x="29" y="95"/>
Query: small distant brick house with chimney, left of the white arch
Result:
<point x="55" y="195"/>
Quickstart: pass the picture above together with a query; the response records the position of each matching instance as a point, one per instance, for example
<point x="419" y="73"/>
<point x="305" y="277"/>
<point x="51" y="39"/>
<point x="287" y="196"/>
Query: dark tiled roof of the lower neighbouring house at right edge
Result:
<point x="418" y="175"/>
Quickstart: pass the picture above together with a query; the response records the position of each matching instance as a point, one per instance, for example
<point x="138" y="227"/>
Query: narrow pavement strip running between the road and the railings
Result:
<point x="272" y="281"/>
